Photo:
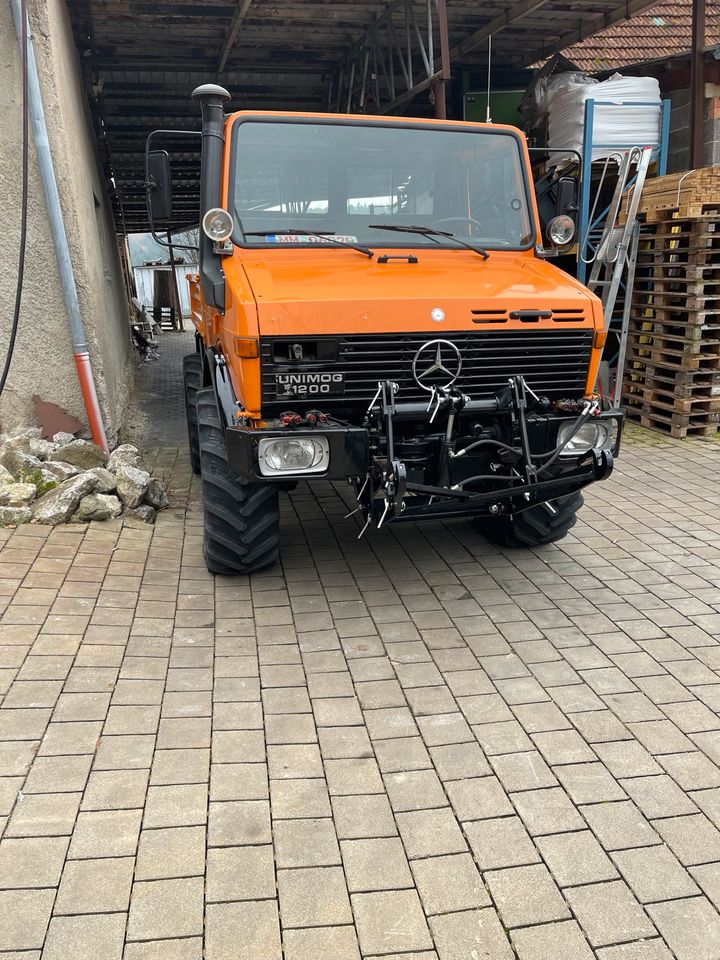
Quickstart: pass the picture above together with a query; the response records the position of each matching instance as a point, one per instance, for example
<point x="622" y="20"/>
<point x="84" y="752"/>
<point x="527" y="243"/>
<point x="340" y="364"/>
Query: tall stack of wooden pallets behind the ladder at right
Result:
<point x="672" y="371"/>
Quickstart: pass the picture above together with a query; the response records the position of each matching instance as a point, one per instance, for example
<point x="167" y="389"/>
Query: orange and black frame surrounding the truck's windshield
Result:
<point x="404" y="241"/>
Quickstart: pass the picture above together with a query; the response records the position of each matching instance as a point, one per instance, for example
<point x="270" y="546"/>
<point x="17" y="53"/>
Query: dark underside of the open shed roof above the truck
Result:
<point x="142" y="58"/>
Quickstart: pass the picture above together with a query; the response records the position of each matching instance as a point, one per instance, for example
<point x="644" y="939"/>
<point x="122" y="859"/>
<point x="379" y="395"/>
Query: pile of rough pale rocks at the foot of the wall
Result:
<point x="68" y="481"/>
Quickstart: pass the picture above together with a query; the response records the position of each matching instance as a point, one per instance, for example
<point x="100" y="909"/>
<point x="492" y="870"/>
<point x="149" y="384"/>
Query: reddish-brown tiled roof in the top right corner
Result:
<point x="662" y="31"/>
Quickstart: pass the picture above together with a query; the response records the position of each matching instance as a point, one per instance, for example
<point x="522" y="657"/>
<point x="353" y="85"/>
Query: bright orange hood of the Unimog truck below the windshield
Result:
<point x="316" y="292"/>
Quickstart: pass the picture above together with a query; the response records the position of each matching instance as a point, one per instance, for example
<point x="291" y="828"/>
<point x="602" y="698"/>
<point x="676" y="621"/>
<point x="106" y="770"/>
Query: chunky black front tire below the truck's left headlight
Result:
<point x="242" y="520"/>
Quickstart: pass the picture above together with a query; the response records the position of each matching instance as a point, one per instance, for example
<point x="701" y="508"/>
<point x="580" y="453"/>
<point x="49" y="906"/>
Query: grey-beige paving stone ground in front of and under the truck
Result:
<point x="413" y="747"/>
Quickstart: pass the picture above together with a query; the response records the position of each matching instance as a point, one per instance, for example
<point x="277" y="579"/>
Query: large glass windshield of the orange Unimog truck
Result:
<point x="343" y="178"/>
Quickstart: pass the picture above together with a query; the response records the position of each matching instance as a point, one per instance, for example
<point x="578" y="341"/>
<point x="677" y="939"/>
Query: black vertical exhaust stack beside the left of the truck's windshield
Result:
<point x="212" y="98"/>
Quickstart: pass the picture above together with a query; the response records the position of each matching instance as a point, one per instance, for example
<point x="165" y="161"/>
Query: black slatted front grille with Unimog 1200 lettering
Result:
<point x="553" y="362"/>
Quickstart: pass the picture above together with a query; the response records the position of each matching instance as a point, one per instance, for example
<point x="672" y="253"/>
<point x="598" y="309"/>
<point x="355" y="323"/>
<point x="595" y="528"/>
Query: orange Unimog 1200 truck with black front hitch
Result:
<point x="374" y="305"/>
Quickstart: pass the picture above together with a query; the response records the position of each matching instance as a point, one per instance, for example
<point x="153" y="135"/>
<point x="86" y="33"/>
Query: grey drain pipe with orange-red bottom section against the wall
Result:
<point x="52" y="200"/>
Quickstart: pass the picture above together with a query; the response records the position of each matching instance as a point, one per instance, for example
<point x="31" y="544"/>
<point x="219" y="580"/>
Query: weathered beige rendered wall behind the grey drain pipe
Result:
<point x="43" y="361"/>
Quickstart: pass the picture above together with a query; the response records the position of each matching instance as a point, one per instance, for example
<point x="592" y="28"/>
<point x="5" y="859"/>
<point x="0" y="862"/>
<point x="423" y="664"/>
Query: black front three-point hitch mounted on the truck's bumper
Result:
<point x="517" y="479"/>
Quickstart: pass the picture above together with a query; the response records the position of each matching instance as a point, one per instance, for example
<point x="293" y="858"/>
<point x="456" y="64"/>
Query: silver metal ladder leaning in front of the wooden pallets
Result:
<point x="615" y="255"/>
